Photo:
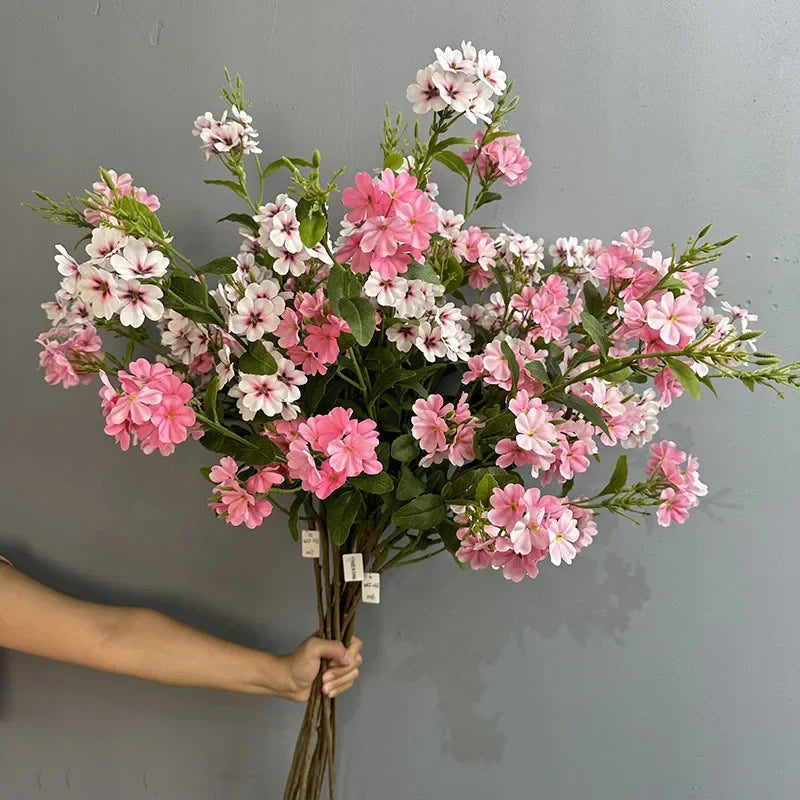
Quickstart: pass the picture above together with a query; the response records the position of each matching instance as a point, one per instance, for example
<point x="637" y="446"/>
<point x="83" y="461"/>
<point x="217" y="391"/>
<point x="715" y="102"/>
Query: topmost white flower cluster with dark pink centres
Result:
<point x="463" y="81"/>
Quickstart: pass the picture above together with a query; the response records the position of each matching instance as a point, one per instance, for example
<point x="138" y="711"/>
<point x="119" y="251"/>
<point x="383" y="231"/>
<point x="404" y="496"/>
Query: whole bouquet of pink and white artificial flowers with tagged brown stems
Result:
<point x="390" y="383"/>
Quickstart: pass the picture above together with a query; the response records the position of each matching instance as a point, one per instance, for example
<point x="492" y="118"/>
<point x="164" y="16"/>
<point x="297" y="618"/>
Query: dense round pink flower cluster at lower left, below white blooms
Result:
<point x="151" y="408"/>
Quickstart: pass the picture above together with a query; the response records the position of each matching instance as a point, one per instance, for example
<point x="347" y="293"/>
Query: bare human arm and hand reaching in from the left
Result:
<point x="147" y="644"/>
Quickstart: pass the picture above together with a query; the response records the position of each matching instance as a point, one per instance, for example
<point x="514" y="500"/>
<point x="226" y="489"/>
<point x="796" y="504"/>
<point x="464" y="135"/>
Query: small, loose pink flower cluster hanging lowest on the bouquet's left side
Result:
<point x="242" y="499"/>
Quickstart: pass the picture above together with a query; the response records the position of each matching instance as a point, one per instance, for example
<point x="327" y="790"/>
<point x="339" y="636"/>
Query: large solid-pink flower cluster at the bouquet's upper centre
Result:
<point x="389" y="225"/>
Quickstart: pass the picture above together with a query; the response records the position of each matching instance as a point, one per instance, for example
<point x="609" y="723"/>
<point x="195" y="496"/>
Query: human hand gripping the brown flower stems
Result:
<point x="303" y="666"/>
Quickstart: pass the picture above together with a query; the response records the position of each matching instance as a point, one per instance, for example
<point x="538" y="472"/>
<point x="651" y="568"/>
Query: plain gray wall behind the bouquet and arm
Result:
<point x="663" y="664"/>
